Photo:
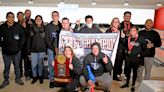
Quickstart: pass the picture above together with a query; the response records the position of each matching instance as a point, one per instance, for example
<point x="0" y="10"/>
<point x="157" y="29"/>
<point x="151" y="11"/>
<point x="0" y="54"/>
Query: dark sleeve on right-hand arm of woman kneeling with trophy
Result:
<point x="76" y="66"/>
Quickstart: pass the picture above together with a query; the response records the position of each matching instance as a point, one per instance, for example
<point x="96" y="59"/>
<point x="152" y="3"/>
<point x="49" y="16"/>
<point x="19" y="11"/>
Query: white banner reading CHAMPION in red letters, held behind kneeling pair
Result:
<point x="81" y="43"/>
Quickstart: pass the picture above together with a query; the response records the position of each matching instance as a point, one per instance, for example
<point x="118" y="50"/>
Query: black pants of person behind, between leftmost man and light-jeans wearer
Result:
<point x="27" y="66"/>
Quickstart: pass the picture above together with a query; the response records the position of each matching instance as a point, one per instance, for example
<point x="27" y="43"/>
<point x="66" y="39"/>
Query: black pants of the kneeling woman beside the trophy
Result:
<point x="72" y="86"/>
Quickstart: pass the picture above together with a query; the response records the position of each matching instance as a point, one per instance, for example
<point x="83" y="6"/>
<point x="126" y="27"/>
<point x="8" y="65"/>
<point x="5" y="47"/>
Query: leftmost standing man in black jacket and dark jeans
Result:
<point x="11" y="40"/>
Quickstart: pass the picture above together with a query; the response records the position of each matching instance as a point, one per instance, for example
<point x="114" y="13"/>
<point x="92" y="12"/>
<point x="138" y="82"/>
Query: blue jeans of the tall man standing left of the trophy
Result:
<point x="51" y="57"/>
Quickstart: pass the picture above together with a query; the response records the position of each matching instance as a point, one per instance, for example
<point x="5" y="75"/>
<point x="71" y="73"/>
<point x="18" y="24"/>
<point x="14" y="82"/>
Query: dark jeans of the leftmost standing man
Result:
<point x="7" y="63"/>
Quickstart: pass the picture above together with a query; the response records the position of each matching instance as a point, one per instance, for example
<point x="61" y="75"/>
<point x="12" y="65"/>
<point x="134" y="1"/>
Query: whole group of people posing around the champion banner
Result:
<point x="30" y="40"/>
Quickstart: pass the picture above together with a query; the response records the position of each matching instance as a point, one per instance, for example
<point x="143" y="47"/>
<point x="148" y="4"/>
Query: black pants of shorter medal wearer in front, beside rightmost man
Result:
<point x="132" y="63"/>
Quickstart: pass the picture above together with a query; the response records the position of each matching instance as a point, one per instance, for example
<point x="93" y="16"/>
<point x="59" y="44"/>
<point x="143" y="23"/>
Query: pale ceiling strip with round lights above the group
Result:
<point x="86" y="3"/>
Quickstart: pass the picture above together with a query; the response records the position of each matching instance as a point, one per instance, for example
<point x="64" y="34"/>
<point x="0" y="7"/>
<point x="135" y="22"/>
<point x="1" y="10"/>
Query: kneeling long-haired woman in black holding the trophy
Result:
<point x="75" y="70"/>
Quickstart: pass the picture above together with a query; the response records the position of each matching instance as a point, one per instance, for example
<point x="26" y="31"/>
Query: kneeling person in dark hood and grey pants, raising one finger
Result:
<point x="100" y="65"/>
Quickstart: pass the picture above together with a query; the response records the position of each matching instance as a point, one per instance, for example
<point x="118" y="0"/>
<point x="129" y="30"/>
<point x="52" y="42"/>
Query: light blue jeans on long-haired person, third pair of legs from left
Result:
<point x="37" y="63"/>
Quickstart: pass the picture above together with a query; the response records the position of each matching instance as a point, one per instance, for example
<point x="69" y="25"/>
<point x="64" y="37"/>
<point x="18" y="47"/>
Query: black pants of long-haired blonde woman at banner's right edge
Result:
<point x="117" y="70"/>
